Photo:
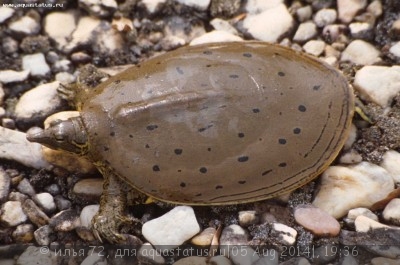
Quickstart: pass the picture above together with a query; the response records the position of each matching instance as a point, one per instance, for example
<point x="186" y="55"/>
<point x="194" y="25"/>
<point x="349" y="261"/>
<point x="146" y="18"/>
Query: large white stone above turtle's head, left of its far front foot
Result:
<point x="41" y="100"/>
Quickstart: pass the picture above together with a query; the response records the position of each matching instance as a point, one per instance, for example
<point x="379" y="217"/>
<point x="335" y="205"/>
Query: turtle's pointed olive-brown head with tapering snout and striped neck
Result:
<point x="68" y="135"/>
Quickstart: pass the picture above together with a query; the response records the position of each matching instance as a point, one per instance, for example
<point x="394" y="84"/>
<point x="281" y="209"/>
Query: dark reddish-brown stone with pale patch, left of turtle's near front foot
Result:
<point x="65" y="221"/>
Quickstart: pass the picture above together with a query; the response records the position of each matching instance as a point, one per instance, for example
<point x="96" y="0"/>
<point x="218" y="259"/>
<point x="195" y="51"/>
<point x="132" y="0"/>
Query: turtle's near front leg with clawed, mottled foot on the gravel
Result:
<point x="112" y="213"/>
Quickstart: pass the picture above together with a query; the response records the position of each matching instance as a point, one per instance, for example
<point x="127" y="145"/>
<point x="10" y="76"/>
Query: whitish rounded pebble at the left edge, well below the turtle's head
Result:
<point x="12" y="214"/>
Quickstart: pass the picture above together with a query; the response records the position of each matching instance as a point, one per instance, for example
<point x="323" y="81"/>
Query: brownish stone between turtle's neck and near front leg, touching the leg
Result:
<point x="89" y="189"/>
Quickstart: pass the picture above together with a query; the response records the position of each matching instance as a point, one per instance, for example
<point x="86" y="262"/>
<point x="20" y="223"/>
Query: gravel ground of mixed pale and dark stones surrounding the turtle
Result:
<point x="349" y="215"/>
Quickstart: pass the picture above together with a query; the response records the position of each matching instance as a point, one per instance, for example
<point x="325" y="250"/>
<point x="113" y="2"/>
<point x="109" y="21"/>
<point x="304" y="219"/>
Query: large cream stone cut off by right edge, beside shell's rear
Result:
<point x="378" y="83"/>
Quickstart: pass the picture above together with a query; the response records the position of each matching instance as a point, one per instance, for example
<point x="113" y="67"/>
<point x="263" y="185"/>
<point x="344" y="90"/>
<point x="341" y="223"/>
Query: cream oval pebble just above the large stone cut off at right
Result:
<point x="361" y="52"/>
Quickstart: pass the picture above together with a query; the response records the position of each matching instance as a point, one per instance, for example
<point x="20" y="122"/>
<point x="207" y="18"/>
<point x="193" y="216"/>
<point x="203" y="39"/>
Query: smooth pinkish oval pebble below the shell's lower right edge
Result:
<point x="318" y="221"/>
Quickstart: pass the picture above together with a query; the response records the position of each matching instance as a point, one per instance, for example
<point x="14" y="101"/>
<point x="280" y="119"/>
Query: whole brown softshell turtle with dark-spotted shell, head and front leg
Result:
<point x="220" y="123"/>
